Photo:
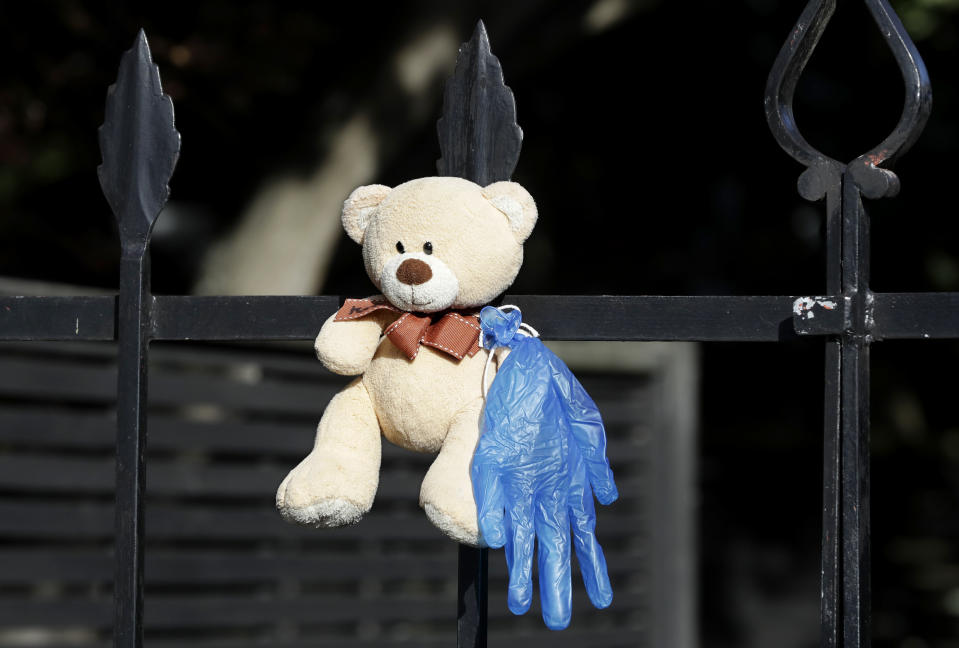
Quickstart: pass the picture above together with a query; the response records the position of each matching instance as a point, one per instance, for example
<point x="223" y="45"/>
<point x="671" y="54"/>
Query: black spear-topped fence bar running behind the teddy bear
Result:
<point x="480" y="141"/>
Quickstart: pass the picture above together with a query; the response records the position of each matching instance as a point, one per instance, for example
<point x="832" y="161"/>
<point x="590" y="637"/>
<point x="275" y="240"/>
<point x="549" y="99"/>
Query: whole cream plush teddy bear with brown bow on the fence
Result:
<point x="438" y="249"/>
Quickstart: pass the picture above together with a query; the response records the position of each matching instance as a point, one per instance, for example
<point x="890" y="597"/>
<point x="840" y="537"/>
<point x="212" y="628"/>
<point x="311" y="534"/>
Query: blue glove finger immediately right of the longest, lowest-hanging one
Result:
<point x="592" y="562"/>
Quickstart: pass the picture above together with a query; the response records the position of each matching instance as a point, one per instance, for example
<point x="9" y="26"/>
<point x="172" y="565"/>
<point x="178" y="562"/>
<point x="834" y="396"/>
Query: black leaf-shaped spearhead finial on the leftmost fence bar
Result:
<point x="139" y="145"/>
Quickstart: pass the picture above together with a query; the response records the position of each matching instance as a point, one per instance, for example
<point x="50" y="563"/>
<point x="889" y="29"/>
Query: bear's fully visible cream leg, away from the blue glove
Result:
<point x="335" y="484"/>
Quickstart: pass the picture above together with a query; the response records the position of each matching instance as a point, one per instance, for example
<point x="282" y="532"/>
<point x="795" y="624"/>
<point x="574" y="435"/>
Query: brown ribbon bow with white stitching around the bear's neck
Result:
<point x="454" y="333"/>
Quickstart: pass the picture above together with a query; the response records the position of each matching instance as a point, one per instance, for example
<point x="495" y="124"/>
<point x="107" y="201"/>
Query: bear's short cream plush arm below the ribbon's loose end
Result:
<point x="347" y="347"/>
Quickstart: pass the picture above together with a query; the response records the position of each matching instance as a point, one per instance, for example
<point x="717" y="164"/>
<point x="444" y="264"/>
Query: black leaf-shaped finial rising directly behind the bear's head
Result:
<point x="478" y="134"/>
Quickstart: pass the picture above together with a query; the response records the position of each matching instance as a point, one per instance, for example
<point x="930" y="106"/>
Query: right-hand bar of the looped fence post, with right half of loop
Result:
<point x="865" y="177"/>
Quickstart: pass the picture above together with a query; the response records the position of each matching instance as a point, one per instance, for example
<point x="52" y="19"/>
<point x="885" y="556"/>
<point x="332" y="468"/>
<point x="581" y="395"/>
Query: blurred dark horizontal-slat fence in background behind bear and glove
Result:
<point x="222" y="567"/>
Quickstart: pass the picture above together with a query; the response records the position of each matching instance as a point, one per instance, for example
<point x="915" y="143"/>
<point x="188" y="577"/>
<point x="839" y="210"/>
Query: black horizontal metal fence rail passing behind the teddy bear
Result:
<point x="704" y="318"/>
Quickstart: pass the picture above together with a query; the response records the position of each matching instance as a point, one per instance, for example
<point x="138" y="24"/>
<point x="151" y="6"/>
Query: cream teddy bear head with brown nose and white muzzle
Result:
<point x="437" y="243"/>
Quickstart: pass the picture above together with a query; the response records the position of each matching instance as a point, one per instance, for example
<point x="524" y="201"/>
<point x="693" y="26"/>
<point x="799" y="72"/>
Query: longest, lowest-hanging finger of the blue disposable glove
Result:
<point x="555" y="586"/>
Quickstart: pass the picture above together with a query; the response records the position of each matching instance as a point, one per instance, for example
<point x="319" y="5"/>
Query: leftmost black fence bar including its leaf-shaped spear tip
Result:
<point x="140" y="147"/>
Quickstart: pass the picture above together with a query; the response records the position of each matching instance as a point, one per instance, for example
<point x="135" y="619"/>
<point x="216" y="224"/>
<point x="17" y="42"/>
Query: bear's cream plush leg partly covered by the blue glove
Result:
<point x="447" y="491"/>
